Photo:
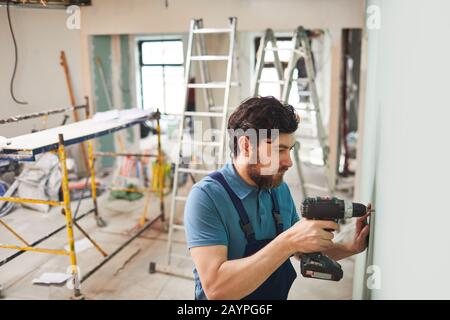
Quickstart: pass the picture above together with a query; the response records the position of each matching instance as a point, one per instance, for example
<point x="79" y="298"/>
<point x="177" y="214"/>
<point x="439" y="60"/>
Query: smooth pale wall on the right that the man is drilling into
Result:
<point x="406" y="152"/>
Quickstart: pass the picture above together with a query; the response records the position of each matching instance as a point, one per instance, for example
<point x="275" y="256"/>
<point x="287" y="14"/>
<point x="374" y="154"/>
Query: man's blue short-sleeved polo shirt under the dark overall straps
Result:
<point x="211" y="218"/>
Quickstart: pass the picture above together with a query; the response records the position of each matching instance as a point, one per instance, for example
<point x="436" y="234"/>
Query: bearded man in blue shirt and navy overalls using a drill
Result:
<point x="241" y="222"/>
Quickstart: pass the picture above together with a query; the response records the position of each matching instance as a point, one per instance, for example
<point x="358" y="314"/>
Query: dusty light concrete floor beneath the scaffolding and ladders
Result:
<point x="126" y="276"/>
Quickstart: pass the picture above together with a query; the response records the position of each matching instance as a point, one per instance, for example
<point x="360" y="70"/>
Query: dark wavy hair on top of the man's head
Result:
<point x="261" y="113"/>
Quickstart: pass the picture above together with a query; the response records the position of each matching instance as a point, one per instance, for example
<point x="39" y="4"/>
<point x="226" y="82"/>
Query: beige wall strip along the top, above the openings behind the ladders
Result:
<point x="150" y="16"/>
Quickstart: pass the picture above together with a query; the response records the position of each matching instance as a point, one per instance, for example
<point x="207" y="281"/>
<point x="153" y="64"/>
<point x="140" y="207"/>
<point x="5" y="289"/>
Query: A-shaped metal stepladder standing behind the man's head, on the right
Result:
<point x="300" y="48"/>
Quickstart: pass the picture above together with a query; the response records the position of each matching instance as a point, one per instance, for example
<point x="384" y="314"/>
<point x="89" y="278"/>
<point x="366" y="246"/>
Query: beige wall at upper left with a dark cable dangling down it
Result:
<point x="41" y="35"/>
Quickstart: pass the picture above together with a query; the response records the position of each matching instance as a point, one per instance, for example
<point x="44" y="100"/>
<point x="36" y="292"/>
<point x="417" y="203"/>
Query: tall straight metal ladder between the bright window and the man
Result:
<point x="217" y="116"/>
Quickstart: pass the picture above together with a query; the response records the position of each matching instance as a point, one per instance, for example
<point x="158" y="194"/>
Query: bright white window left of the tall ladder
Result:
<point x="162" y="75"/>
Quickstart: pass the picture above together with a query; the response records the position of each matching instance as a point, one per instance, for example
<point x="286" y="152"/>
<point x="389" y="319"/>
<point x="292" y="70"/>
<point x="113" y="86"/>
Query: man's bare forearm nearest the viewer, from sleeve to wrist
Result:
<point x="238" y="278"/>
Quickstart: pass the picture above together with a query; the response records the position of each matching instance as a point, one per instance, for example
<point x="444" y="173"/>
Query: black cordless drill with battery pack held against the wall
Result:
<point x="317" y="265"/>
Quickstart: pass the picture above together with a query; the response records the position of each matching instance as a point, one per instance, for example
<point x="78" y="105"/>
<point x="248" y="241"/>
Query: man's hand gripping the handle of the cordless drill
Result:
<point x="308" y="236"/>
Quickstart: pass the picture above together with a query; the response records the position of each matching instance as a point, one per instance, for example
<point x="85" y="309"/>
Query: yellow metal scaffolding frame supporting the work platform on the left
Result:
<point x="70" y="223"/>
